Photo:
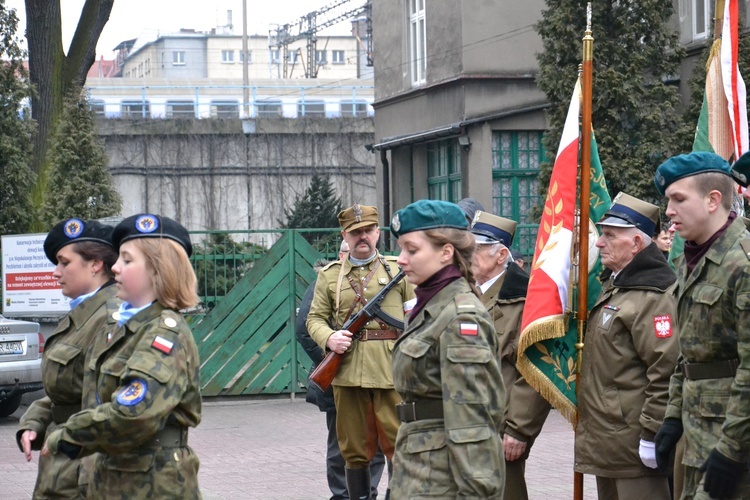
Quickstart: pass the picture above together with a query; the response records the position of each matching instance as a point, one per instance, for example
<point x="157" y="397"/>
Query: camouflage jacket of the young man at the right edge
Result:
<point x="714" y="314"/>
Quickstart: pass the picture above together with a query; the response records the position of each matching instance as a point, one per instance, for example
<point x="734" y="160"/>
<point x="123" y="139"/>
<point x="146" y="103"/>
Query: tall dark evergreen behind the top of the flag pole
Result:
<point x="634" y="110"/>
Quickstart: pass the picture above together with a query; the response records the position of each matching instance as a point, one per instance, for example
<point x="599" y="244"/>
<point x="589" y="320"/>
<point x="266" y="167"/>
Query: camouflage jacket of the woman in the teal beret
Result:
<point x="448" y="353"/>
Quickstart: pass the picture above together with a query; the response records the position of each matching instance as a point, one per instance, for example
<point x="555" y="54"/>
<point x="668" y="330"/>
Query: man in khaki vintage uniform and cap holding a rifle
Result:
<point x="363" y="388"/>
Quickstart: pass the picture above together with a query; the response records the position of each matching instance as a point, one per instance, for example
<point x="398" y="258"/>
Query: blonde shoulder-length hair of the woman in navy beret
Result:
<point x="173" y="278"/>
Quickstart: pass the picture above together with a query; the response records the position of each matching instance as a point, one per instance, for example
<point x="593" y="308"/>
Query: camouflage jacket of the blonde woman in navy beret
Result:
<point x="146" y="377"/>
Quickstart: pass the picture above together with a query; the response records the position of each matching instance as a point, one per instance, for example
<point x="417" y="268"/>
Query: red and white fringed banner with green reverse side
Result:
<point x="546" y="348"/>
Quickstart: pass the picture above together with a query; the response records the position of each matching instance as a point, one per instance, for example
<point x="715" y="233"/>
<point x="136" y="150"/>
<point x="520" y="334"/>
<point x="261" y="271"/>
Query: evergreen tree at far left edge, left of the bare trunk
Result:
<point x="16" y="131"/>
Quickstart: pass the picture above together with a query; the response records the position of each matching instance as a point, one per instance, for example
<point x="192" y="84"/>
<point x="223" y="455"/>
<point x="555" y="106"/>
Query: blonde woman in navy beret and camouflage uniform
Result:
<point x="142" y="380"/>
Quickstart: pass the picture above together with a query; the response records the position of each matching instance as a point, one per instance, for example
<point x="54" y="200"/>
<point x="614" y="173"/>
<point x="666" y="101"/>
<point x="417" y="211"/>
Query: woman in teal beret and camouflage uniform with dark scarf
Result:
<point x="445" y="366"/>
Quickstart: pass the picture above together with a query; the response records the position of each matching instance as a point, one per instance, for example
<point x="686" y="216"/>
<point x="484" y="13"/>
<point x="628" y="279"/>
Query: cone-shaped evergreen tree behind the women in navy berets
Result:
<point x="80" y="184"/>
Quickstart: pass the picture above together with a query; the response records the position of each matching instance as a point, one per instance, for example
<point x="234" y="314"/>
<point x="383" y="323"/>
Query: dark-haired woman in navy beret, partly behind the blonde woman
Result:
<point x="83" y="256"/>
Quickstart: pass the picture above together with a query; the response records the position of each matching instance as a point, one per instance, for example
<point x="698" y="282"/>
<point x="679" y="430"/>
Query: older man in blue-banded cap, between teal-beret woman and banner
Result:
<point x="503" y="288"/>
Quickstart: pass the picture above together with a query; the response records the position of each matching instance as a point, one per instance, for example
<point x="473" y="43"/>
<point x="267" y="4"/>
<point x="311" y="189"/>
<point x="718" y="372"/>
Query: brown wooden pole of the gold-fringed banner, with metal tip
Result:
<point x="585" y="194"/>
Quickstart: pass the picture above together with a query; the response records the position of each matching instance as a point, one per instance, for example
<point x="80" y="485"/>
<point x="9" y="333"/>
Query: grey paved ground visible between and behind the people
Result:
<point x="275" y="449"/>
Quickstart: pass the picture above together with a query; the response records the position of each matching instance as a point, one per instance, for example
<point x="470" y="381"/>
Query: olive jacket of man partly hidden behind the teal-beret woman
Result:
<point x="526" y="409"/>
